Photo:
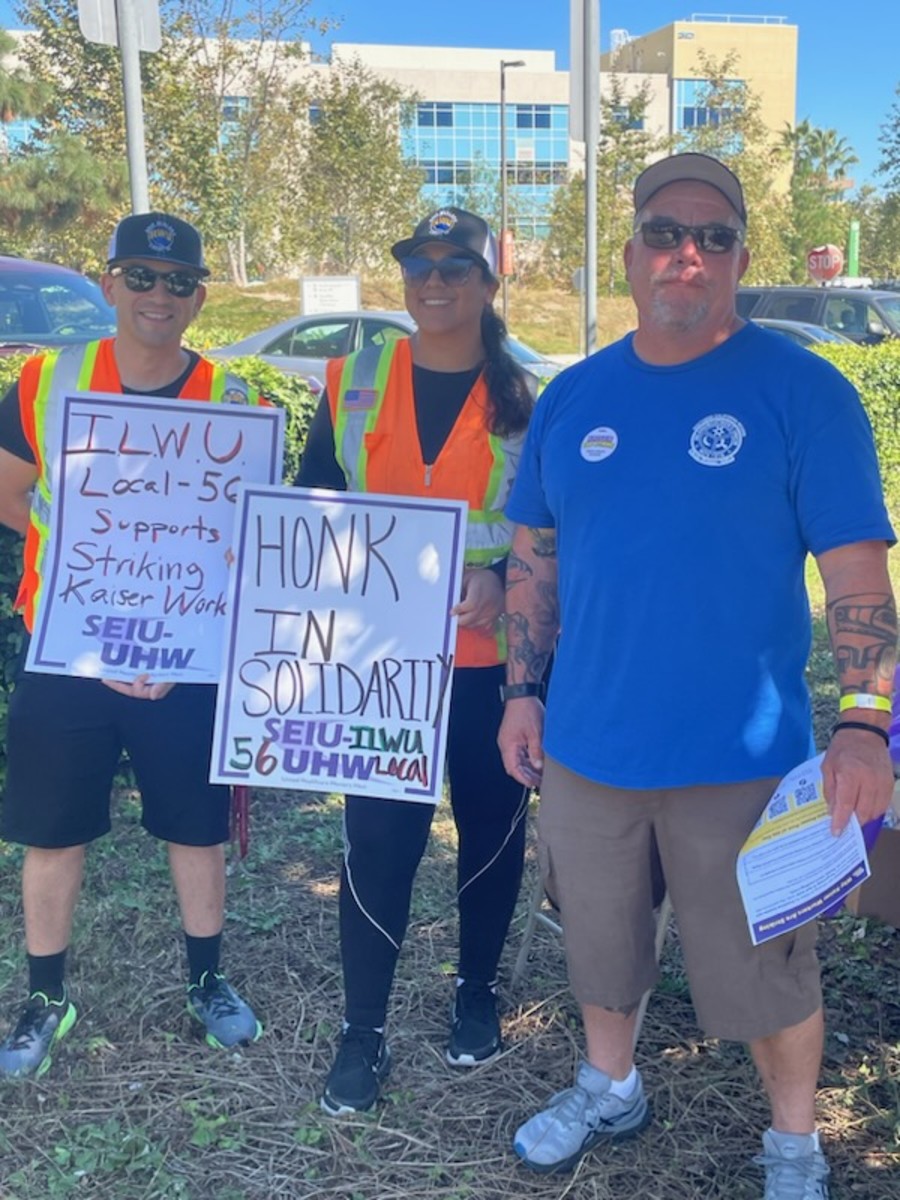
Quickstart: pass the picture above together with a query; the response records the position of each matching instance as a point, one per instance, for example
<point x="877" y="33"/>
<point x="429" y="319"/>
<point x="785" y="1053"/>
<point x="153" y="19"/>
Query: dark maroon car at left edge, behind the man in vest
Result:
<point x="46" y="305"/>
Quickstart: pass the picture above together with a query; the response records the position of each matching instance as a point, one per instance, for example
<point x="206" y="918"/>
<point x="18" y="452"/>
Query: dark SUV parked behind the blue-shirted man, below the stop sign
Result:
<point x="865" y="315"/>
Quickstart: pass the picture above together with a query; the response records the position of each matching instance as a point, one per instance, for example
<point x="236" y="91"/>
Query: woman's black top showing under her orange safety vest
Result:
<point x="440" y="399"/>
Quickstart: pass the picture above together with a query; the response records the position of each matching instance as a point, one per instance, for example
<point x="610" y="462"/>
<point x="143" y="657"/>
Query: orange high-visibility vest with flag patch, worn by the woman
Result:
<point x="377" y="447"/>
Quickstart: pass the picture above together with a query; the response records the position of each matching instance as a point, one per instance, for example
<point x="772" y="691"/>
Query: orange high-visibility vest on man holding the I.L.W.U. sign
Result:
<point x="45" y="381"/>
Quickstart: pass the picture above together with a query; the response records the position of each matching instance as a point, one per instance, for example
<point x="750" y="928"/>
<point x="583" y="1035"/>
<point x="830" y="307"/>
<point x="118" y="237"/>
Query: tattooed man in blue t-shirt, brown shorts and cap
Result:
<point x="670" y="491"/>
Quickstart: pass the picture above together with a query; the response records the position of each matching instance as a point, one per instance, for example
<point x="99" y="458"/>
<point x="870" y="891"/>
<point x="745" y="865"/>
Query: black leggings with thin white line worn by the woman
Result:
<point x="385" y="842"/>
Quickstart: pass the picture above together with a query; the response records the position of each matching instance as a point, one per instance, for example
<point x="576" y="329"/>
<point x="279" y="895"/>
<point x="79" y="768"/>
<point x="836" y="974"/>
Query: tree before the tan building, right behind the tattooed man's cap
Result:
<point x="734" y="131"/>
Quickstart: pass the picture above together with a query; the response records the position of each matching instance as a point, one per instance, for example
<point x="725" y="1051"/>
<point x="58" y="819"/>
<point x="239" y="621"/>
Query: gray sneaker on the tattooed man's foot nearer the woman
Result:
<point x="578" y="1120"/>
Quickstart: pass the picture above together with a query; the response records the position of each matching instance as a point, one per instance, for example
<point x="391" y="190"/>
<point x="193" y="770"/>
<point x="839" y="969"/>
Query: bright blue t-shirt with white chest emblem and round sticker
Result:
<point x="686" y="500"/>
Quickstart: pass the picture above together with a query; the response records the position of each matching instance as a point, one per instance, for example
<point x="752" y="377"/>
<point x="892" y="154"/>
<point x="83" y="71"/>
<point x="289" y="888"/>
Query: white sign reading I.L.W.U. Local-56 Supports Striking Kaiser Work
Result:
<point x="135" y="579"/>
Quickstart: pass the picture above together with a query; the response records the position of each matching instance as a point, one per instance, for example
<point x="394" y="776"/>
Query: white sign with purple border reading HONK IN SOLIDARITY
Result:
<point x="338" y="670"/>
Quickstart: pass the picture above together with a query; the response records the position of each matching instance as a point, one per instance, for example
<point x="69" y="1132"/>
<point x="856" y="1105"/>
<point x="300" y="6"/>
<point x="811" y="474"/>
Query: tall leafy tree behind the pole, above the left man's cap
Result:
<point x="221" y="112"/>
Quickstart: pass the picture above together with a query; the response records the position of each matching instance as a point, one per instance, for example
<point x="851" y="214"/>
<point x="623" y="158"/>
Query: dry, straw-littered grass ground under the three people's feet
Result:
<point x="137" y="1109"/>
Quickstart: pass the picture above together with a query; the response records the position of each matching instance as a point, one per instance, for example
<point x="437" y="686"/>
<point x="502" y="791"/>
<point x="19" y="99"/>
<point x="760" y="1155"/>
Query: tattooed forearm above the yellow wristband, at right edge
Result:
<point x="863" y="631"/>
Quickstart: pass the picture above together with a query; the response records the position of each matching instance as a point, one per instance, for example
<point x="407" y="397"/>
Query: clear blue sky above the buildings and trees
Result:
<point x="849" y="53"/>
